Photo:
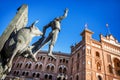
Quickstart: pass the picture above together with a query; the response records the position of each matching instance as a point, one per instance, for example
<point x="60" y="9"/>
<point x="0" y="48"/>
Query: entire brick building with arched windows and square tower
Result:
<point x="89" y="60"/>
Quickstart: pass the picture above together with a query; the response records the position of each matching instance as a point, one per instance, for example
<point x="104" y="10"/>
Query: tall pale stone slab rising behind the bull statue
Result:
<point x="20" y="20"/>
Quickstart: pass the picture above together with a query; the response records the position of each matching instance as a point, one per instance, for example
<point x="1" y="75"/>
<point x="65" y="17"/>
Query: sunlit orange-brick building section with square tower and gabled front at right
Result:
<point x="95" y="60"/>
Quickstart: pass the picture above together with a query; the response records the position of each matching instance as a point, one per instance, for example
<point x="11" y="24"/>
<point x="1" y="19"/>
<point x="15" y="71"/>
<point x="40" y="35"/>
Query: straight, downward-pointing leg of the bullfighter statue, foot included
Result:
<point x="53" y="40"/>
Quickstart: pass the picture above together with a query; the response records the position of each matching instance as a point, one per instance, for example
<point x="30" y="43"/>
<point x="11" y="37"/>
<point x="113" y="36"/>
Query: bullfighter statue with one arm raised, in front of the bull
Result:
<point x="55" y="26"/>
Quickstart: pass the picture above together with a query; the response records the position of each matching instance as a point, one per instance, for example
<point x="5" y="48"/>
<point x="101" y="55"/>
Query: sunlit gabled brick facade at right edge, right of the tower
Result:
<point x="111" y="51"/>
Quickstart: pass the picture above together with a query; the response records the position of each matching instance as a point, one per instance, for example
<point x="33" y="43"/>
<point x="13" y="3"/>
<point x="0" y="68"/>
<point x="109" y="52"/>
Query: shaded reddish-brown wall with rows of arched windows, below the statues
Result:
<point x="26" y="68"/>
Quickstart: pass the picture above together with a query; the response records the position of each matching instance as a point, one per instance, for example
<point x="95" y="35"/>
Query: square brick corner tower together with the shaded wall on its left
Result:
<point x="80" y="52"/>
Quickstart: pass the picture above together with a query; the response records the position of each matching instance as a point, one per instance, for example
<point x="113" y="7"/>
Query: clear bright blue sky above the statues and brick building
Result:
<point x="96" y="13"/>
